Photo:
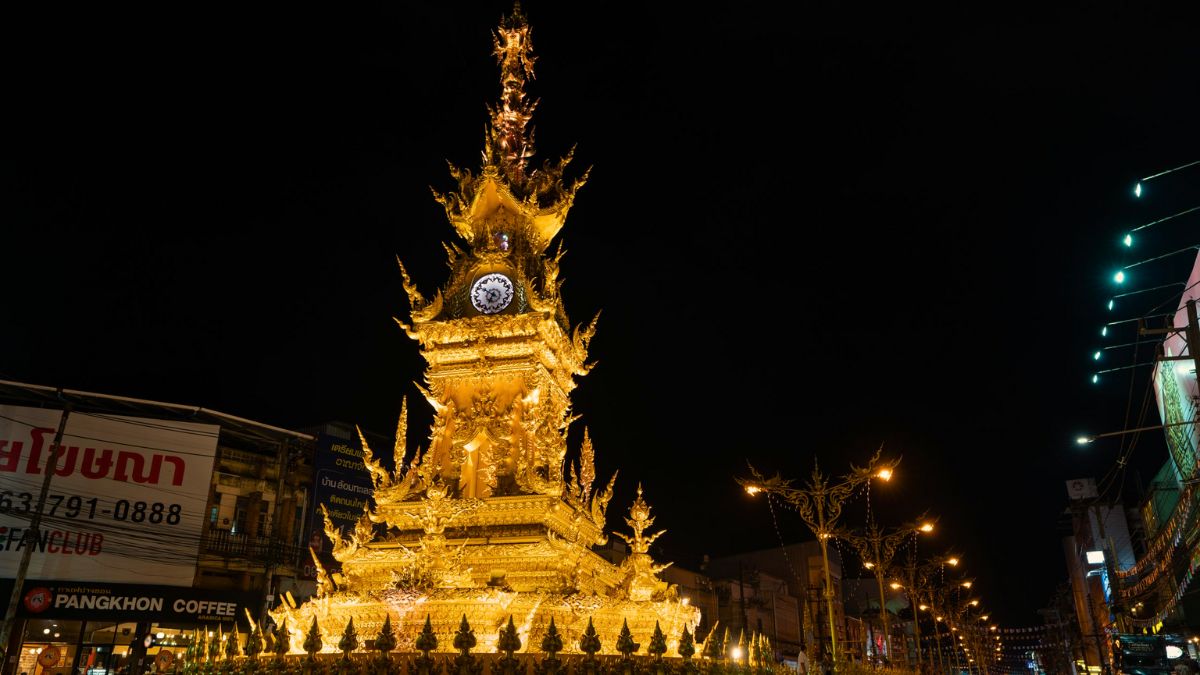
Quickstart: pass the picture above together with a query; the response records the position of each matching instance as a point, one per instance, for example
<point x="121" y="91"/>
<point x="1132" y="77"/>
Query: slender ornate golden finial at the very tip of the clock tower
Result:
<point x="511" y="144"/>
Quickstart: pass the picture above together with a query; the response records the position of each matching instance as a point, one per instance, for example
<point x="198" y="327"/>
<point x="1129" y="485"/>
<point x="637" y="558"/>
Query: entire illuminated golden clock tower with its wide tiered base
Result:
<point x="491" y="521"/>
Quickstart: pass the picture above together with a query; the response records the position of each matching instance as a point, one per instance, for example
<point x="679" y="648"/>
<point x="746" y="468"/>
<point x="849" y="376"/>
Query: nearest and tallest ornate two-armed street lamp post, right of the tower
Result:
<point x="820" y="506"/>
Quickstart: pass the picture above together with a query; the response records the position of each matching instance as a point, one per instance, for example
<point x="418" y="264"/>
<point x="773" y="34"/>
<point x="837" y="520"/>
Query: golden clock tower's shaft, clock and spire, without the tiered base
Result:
<point x="502" y="355"/>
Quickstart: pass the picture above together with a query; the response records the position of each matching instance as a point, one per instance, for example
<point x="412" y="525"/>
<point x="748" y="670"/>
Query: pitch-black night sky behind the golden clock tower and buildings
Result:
<point x="812" y="231"/>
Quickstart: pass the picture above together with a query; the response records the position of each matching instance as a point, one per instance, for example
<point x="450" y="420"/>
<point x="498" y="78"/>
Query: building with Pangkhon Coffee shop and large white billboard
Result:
<point x="159" y="521"/>
